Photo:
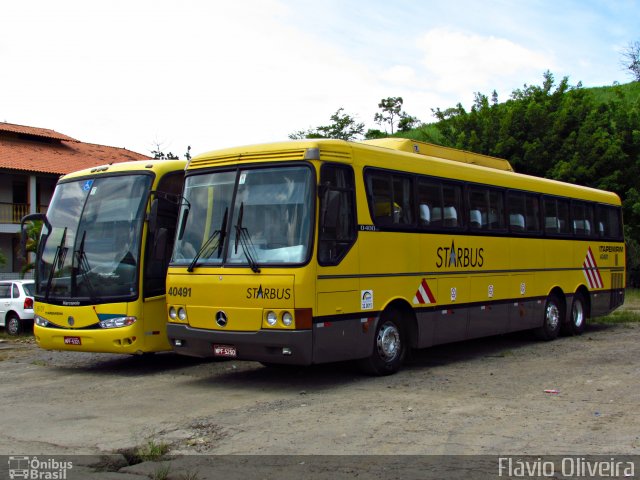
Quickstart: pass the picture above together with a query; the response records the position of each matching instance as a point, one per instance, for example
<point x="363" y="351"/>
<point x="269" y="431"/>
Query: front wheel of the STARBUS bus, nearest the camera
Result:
<point x="389" y="345"/>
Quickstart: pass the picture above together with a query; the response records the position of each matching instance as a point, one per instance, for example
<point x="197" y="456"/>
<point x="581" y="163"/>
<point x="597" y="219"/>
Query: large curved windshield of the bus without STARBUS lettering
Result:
<point x="92" y="251"/>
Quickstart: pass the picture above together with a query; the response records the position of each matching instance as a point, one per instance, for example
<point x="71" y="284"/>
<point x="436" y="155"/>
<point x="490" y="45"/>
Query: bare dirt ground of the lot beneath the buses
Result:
<point x="505" y="395"/>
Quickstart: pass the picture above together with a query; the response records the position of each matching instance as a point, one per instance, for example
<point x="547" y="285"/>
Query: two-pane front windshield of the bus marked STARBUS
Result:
<point x="255" y="217"/>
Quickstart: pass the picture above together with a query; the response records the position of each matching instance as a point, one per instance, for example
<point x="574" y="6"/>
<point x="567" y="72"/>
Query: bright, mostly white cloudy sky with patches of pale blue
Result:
<point x="211" y="74"/>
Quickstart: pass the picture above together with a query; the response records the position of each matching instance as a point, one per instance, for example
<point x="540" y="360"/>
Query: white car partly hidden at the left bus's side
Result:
<point x="16" y="304"/>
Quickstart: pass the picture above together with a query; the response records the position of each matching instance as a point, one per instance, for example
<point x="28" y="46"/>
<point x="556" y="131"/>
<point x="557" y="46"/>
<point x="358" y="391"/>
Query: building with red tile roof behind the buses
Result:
<point x="31" y="161"/>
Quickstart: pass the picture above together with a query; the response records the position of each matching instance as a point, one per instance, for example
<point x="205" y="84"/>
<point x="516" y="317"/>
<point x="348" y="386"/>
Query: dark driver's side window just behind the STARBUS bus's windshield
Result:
<point x="337" y="223"/>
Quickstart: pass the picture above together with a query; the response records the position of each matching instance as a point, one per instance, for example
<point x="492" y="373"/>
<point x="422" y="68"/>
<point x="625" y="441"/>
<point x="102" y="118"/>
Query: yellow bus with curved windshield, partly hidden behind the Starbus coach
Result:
<point x="102" y="258"/>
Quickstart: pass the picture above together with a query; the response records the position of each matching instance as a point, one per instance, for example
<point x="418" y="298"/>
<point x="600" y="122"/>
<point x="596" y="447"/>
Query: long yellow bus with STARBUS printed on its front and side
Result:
<point x="324" y="250"/>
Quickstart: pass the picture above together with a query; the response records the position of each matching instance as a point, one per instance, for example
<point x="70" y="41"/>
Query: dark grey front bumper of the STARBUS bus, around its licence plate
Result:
<point x="289" y="347"/>
